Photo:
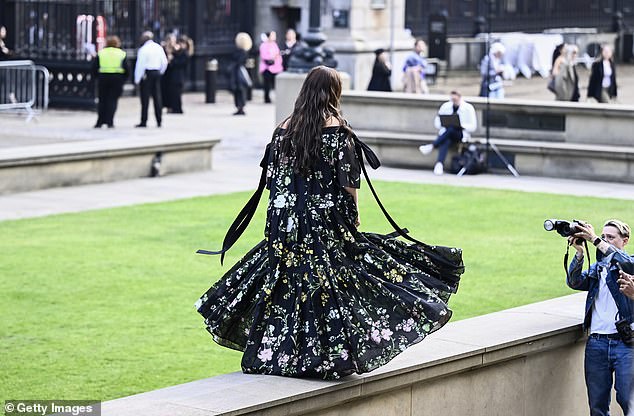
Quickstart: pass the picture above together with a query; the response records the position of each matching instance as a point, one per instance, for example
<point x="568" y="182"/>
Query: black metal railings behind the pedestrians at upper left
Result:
<point x="64" y="35"/>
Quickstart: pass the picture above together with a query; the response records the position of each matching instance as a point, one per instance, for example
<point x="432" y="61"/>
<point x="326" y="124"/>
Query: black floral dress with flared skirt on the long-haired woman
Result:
<point x="318" y="298"/>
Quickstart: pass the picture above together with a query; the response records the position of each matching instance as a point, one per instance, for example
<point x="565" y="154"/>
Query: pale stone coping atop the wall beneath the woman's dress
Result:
<point x="461" y="347"/>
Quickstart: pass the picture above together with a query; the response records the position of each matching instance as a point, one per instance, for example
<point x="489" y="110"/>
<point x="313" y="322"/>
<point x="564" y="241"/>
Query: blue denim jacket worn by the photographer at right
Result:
<point x="588" y="280"/>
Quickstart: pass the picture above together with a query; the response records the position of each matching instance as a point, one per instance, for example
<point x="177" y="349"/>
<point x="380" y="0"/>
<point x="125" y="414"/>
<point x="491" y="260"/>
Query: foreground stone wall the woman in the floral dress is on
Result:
<point x="524" y="361"/>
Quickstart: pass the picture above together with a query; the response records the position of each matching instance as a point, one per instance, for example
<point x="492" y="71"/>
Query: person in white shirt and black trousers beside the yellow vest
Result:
<point x="151" y="63"/>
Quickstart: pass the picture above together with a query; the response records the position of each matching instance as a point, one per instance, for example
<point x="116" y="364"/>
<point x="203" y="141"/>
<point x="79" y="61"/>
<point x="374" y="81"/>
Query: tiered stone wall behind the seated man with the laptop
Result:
<point x="542" y="138"/>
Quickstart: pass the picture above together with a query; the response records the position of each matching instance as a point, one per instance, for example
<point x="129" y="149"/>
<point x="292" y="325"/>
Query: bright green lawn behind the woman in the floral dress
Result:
<point x="99" y="305"/>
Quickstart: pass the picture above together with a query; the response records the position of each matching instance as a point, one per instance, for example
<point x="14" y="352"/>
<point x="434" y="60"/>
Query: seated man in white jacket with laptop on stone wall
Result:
<point x="448" y="135"/>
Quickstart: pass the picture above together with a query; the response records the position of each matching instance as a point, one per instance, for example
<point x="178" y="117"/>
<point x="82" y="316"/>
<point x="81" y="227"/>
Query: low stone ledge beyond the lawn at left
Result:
<point x="84" y="162"/>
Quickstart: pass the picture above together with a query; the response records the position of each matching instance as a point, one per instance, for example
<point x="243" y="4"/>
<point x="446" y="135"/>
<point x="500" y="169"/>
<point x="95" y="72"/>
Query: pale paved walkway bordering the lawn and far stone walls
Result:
<point x="235" y="164"/>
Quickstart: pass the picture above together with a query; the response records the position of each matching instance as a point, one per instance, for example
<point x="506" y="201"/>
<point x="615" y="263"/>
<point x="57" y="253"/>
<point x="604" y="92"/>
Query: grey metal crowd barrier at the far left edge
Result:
<point x="23" y="87"/>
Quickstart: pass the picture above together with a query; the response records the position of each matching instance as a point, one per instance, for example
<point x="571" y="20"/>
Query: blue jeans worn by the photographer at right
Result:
<point x="605" y="357"/>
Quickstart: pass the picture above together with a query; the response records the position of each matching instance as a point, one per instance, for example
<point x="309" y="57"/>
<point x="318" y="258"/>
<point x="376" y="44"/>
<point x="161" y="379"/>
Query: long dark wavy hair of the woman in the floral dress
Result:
<point x="316" y="103"/>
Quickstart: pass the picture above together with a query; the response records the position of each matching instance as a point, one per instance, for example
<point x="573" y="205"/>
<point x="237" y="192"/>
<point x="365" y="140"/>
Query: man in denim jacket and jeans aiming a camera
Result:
<point x="608" y="315"/>
